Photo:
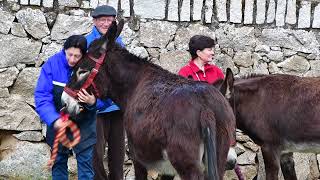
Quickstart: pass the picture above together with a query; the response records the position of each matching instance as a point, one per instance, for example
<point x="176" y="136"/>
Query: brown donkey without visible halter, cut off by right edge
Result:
<point x="281" y="113"/>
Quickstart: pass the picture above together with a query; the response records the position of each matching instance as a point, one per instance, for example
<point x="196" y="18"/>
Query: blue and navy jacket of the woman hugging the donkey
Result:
<point x="55" y="73"/>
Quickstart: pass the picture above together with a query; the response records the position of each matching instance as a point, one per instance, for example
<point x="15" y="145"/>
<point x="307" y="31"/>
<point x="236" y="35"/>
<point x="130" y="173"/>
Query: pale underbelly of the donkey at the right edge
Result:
<point x="302" y="147"/>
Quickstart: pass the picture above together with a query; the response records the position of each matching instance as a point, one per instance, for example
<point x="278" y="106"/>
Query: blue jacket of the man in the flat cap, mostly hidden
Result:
<point x="103" y="105"/>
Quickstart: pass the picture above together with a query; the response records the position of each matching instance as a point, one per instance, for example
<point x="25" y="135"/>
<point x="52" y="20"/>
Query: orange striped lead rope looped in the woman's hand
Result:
<point x="61" y="136"/>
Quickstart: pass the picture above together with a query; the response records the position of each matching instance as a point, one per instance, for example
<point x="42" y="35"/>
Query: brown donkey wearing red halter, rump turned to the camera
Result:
<point x="174" y="125"/>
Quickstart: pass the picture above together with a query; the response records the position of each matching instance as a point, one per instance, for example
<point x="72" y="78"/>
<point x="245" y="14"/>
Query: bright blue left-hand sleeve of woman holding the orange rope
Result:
<point x="44" y="96"/>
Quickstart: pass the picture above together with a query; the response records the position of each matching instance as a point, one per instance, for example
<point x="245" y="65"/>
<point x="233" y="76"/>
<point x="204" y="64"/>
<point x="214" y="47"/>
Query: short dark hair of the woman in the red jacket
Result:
<point x="199" y="42"/>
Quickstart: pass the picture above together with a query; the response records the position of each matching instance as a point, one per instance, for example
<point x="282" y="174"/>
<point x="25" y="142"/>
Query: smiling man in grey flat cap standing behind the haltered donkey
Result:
<point x="109" y="121"/>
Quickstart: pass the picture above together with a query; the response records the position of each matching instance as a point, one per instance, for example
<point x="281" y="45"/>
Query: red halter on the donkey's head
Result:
<point x="74" y="93"/>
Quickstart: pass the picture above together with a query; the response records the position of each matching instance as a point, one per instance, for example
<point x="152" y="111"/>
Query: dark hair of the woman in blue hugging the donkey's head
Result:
<point x="76" y="41"/>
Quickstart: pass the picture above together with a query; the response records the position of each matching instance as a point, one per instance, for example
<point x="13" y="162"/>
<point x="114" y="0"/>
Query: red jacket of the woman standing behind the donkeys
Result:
<point x="211" y="72"/>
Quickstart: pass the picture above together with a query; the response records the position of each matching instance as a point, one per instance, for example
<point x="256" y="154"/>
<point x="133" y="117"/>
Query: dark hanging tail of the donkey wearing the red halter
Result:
<point x="210" y="141"/>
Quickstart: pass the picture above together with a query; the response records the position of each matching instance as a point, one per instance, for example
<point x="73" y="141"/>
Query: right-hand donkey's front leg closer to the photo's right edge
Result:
<point x="287" y="166"/>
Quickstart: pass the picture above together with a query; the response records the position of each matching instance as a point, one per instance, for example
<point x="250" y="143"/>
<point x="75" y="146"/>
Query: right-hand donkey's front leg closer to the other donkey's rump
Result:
<point x="271" y="156"/>
